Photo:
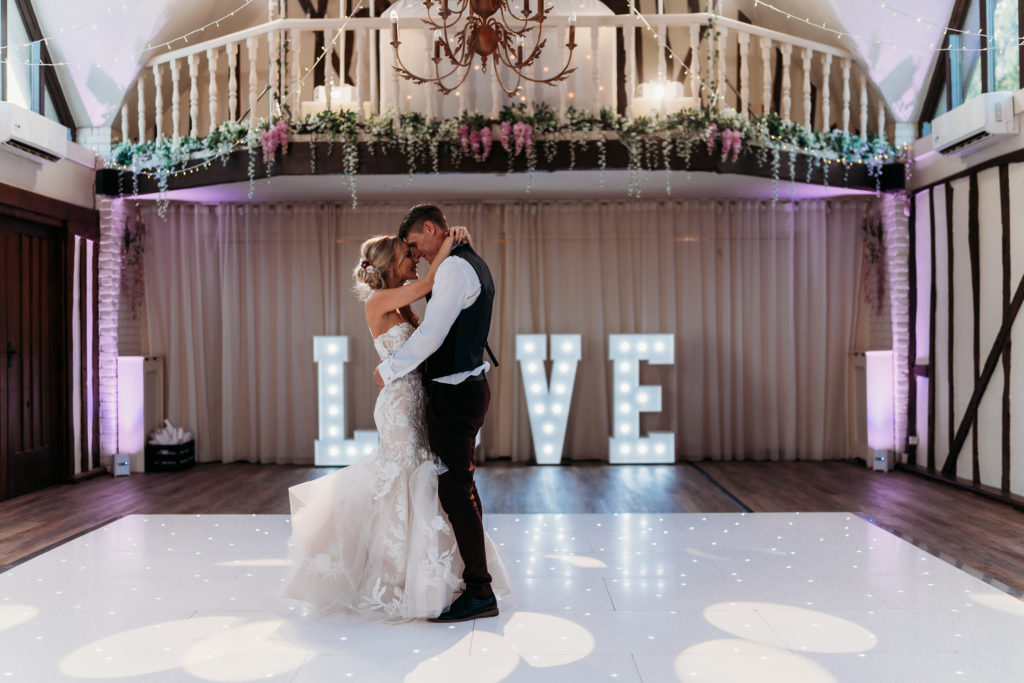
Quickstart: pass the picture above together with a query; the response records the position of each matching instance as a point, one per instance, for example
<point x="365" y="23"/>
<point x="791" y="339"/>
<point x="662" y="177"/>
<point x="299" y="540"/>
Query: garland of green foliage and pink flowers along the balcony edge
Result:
<point x="651" y="143"/>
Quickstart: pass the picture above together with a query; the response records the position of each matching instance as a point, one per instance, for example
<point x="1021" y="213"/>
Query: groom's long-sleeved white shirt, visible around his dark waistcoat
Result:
<point x="456" y="288"/>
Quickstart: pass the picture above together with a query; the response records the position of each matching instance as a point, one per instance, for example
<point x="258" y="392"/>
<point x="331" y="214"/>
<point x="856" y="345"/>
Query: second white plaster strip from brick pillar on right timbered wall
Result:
<point x="941" y="367"/>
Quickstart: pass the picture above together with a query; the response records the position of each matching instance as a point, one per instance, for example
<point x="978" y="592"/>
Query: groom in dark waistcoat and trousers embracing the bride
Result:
<point x="450" y="346"/>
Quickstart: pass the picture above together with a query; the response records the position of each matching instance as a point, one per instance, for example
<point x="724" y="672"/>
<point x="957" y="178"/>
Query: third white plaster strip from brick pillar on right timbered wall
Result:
<point x="963" y="313"/>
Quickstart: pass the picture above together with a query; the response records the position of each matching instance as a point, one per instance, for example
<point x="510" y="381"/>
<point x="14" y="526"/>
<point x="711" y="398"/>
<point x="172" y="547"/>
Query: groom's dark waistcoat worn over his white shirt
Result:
<point x="462" y="350"/>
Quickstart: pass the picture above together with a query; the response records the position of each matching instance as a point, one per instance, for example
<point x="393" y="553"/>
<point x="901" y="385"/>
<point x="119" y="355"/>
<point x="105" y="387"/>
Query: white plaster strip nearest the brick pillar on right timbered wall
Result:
<point x="923" y="259"/>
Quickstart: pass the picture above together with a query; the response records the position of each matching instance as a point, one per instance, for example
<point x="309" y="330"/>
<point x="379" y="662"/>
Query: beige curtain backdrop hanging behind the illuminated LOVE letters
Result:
<point x="762" y="301"/>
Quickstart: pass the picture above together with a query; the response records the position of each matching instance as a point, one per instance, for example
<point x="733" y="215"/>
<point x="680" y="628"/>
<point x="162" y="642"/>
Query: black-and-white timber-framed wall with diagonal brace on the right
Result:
<point x="967" y="283"/>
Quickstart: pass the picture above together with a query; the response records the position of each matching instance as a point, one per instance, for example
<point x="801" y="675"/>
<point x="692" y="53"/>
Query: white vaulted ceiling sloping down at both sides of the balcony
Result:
<point x="107" y="42"/>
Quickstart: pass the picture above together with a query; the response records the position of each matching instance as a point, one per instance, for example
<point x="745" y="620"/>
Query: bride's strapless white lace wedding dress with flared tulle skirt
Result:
<point x="373" y="537"/>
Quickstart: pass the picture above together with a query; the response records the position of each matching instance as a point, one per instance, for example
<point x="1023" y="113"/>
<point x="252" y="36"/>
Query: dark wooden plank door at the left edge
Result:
<point x="32" y="406"/>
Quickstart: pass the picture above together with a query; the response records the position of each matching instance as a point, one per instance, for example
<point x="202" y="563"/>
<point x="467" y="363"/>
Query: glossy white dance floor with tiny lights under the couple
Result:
<point x="809" y="599"/>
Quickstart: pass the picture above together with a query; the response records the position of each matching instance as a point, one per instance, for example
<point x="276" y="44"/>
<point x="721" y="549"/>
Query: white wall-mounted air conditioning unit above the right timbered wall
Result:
<point x="977" y="123"/>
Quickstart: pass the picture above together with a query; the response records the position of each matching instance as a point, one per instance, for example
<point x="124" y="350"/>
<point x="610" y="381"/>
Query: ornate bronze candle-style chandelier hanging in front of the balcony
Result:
<point x="484" y="35"/>
